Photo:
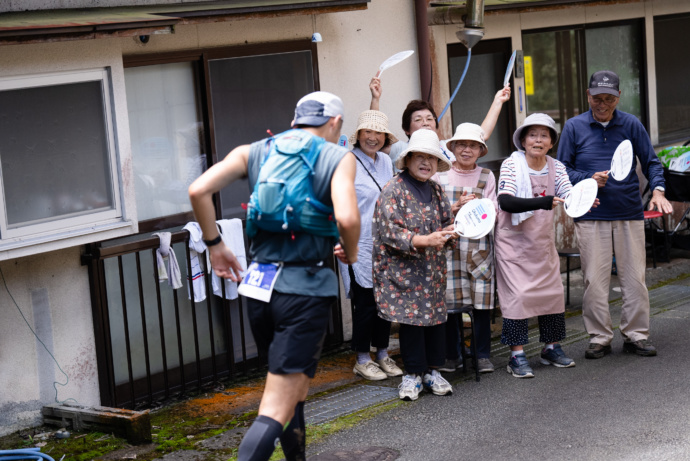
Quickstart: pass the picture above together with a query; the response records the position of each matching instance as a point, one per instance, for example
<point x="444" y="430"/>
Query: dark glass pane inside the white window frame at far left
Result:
<point x="54" y="150"/>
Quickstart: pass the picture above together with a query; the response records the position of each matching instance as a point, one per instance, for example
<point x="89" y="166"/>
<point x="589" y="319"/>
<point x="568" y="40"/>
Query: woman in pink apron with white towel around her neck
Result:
<point x="530" y="186"/>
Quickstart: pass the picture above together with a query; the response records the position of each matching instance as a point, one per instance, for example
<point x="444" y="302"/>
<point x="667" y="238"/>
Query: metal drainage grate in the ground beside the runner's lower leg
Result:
<point x="346" y="402"/>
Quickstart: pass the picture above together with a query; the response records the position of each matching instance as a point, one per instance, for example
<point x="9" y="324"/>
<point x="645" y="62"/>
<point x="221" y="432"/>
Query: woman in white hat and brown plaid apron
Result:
<point x="470" y="265"/>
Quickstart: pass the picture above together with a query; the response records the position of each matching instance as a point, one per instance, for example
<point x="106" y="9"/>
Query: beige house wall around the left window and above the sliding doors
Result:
<point x="52" y="288"/>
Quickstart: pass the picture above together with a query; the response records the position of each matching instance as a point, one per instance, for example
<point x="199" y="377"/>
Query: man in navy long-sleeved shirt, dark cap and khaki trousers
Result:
<point x="587" y="145"/>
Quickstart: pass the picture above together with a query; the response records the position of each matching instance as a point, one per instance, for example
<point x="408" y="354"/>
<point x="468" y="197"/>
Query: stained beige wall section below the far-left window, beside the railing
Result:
<point x="52" y="292"/>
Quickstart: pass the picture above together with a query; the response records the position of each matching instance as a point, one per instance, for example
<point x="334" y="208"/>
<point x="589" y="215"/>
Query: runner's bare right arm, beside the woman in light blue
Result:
<point x="345" y="205"/>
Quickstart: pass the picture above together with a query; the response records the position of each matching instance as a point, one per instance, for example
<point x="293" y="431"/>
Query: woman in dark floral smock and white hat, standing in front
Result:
<point x="412" y="229"/>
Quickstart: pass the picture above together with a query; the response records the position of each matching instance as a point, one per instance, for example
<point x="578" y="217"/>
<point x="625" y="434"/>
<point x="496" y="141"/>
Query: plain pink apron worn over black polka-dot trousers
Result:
<point x="527" y="264"/>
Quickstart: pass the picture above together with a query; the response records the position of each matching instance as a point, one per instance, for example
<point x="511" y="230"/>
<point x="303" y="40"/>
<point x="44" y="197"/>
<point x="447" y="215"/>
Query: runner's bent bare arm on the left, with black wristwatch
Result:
<point x="230" y="169"/>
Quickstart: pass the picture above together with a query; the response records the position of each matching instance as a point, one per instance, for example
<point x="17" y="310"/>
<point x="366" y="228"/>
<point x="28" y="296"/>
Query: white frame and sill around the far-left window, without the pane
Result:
<point x="65" y="226"/>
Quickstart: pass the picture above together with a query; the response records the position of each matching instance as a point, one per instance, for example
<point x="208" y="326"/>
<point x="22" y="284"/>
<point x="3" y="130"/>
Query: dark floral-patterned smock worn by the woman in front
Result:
<point x="410" y="283"/>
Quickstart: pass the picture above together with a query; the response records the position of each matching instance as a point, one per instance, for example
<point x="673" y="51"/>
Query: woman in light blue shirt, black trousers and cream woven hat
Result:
<point x="374" y="170"/>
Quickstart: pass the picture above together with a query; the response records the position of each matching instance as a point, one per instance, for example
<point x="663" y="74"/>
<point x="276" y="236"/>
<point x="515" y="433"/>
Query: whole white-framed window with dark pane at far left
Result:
<point x="58" y="166"/>
